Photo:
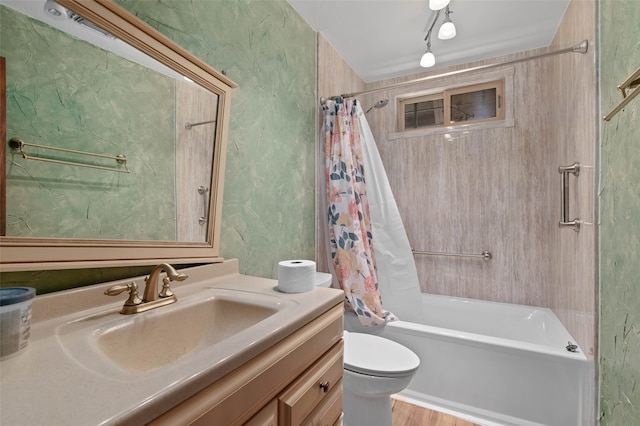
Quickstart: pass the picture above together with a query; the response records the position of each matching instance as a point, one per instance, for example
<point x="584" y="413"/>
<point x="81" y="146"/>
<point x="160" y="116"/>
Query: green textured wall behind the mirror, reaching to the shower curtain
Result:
<point x="269" y="199"/>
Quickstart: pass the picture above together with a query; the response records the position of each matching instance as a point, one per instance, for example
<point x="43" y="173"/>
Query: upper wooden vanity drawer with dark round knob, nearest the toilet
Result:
<point x="312" y="388"/>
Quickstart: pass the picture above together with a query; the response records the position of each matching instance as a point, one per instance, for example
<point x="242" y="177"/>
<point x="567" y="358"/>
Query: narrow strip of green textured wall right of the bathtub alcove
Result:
<point x="620" y="219"/>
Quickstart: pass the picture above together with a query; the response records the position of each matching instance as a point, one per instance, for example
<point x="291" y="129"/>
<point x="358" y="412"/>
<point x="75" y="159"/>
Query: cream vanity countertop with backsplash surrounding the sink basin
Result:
<point x="48" y="384"/>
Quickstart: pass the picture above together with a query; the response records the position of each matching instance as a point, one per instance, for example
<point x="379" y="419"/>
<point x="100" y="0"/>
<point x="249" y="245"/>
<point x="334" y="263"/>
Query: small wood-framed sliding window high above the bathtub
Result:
<point x="481" y="102"/>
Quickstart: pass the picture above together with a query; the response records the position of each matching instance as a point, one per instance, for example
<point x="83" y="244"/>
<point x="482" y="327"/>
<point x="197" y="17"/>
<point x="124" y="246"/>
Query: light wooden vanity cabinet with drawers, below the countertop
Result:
<point x="296" y="382"/>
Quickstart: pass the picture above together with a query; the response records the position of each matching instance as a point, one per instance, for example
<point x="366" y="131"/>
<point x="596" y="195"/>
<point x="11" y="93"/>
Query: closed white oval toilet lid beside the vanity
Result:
<point x="377" y="356"/>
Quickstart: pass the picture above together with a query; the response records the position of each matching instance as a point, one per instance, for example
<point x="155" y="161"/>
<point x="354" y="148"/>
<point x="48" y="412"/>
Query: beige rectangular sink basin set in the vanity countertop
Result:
<point x="144" y="342"/>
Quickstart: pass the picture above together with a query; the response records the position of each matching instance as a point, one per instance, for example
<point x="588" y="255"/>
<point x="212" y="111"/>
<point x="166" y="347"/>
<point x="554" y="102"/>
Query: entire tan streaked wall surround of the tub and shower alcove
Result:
<point x="498" y="189"/>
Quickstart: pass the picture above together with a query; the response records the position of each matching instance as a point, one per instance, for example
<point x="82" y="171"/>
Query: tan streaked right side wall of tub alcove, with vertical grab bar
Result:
<point x="572" y="293"/>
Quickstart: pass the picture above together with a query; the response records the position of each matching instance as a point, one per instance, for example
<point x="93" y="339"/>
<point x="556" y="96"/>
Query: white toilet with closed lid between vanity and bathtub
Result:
<point x="374" y="369"/>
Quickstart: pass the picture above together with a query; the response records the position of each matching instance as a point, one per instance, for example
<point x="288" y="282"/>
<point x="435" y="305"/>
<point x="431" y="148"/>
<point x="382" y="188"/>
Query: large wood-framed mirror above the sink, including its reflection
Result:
<point x="115" y="147"/>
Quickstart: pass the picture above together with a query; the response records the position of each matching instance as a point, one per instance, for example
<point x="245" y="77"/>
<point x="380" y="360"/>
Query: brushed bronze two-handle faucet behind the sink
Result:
<point x="152" y="298"/>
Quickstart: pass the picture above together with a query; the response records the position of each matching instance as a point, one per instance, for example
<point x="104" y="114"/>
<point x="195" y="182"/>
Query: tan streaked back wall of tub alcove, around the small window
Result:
<point x="469" y="190"/>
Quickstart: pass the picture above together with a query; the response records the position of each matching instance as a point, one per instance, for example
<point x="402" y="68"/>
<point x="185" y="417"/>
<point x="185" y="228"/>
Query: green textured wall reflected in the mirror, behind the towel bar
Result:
<point x="66" y="93"/>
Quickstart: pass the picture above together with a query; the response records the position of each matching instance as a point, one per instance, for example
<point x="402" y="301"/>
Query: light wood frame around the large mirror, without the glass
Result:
<point x="24" y="254"/>
